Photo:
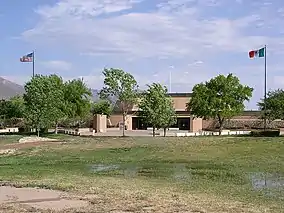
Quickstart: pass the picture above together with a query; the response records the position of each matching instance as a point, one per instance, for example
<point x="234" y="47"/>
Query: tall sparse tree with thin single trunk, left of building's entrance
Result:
<point x="123" y="86"/>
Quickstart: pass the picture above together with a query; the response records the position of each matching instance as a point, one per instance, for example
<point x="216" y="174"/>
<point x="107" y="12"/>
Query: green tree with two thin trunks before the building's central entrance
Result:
<point x="156" y="108"/>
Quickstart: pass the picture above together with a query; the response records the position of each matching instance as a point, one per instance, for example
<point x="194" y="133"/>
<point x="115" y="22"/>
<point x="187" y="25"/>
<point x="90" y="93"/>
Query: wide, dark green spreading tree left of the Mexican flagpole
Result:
<point x="220" y="98"/>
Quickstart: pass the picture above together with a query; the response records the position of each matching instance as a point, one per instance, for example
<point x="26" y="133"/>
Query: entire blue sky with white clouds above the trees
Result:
<point x="177" y="43"/>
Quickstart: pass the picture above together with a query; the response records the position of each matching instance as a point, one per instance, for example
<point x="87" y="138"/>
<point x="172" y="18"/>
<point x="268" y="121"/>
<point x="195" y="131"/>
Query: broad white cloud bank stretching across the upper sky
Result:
<point x="175" y="29"/>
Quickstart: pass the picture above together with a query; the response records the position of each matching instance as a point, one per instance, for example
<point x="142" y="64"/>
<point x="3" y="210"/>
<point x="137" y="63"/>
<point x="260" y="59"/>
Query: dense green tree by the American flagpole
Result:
<point x="44" y="101"/>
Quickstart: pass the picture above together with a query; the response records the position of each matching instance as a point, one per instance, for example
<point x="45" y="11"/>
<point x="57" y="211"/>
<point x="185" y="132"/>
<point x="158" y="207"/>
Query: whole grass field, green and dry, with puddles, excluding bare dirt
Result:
<point x="144" y="174"/>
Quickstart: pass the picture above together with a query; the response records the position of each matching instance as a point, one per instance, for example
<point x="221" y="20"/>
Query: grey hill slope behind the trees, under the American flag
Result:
<point x="9" y="89"/>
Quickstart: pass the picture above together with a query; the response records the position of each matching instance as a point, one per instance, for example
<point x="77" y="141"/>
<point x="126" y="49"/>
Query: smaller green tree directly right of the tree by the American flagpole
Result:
<point x="77" y="98"/>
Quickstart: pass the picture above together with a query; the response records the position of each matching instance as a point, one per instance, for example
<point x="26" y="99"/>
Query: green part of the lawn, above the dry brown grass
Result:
<point x="217" y="167"/>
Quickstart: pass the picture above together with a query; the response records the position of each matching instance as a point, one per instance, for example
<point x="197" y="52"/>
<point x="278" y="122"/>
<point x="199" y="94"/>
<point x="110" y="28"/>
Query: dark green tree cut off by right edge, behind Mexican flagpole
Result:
<point x="274" y="105"/>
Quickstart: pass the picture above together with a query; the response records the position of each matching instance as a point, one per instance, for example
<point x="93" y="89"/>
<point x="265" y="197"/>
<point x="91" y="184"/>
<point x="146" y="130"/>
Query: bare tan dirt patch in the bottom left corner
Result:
<point x="39" y="198"/>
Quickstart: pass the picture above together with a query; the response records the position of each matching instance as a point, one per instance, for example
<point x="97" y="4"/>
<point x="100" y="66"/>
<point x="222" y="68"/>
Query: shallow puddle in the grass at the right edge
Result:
<point x="262" y="181"/>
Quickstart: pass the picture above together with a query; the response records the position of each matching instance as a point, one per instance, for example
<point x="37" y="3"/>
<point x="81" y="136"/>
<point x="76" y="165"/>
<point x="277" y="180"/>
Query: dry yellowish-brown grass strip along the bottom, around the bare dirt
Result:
<point x="135" y="196"/>
